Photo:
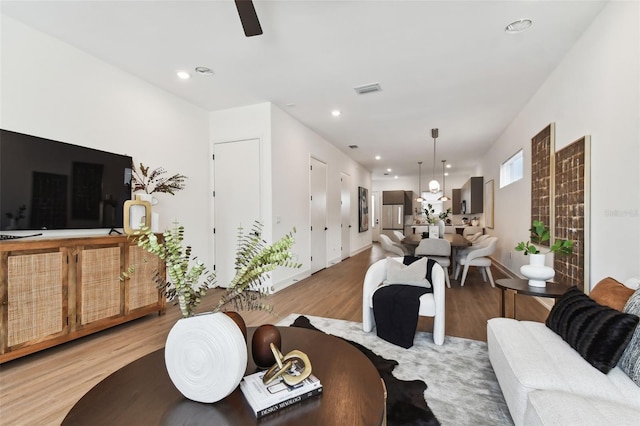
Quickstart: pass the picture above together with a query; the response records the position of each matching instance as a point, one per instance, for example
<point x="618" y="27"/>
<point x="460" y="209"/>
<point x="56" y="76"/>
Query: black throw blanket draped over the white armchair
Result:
<point x="395" y="308"/>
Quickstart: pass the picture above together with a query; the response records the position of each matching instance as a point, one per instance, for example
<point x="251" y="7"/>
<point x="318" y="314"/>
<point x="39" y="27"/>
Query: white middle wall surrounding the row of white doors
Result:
<point x="288" y="146"/>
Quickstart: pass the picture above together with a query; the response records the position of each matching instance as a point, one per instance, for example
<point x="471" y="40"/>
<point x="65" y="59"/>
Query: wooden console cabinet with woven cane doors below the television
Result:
<point x="59" y="289"/>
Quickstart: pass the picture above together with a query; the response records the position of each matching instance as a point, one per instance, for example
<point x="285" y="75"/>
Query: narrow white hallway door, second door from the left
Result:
<point x="318" y="199"/>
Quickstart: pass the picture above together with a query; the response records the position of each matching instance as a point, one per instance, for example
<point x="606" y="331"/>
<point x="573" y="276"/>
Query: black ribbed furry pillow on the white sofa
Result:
<point x="598" y="333"/>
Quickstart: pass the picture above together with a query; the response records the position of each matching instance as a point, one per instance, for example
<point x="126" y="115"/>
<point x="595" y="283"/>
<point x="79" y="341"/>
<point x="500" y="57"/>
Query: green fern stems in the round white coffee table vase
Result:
<point x="189" y="279"/>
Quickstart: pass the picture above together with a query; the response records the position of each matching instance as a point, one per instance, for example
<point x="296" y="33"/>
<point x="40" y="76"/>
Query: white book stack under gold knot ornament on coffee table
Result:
<point x="277" y="395"/>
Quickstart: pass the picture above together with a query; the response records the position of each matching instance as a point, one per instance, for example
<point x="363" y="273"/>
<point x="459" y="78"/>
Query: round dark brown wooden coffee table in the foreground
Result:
<point x="142" y="393"/>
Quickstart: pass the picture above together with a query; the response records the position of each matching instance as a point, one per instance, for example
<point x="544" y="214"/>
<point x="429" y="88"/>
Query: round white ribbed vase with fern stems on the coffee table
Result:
<point x="206" y="354"/>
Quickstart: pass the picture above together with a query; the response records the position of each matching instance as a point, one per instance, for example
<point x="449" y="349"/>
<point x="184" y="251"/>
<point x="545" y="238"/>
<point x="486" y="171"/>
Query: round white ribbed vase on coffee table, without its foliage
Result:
<point x="206" y="356"/>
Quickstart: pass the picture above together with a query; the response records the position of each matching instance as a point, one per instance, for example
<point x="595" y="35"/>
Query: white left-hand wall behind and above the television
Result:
<point x="55" y="91"/>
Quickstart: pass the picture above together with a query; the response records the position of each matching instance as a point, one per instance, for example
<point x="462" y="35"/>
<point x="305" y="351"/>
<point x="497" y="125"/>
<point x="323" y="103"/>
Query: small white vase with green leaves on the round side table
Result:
<point x="536" y="270"/>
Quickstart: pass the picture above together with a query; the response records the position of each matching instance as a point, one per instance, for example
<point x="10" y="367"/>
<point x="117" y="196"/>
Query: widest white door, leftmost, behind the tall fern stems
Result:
<point x="236" y="201"/>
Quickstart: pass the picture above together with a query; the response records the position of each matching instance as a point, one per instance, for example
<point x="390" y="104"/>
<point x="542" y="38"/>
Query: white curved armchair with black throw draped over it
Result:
<point x="431" y="304"/>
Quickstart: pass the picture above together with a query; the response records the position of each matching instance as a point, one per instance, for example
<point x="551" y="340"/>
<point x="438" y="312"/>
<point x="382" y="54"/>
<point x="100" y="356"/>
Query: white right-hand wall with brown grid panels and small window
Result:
<point x="594" y="91"/>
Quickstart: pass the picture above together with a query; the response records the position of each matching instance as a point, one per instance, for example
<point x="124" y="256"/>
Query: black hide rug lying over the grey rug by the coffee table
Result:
<point x="405" y="399"/>
